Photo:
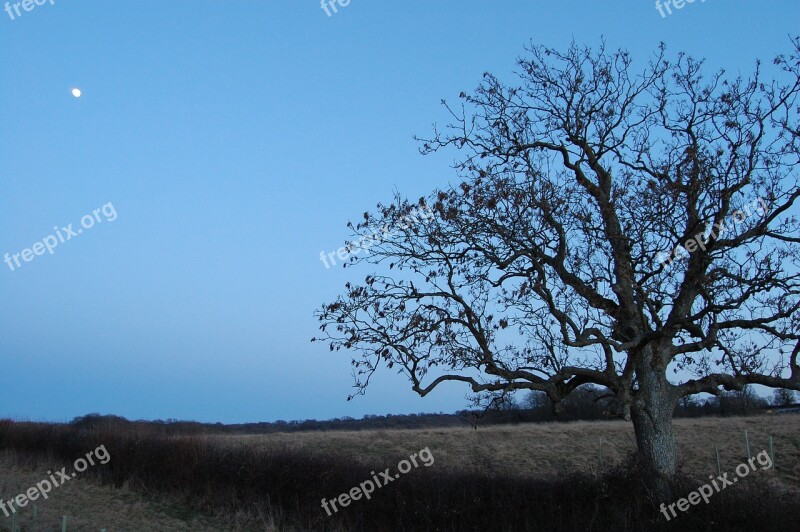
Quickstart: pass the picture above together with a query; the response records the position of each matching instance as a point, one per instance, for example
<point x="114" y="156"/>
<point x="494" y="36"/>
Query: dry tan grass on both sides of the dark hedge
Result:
<point x="547" y="450"/>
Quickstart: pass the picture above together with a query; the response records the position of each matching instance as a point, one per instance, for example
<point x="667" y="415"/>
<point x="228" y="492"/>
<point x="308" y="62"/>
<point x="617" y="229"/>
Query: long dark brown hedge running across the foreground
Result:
<point x="223" y="480"/>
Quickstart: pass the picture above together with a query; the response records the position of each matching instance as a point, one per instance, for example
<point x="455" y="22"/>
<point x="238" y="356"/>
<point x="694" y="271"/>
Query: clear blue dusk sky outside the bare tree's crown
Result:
<point x="234" y="141"/>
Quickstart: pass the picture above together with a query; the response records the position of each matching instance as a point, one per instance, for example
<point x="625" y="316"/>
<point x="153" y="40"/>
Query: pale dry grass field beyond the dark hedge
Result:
<point x="547" y="449"/>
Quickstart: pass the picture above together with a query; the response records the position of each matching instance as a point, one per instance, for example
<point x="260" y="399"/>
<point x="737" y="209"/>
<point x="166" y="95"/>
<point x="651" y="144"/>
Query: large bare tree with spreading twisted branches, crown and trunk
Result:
<point x="611" y="226"/>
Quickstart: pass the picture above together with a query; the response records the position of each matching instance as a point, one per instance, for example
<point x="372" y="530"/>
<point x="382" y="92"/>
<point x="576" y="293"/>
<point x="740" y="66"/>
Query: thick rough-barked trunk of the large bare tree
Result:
<point x="651" y="412"/>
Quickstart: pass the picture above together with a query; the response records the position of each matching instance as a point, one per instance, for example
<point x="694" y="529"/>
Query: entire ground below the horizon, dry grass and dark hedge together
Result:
<point x="553" y="476"/>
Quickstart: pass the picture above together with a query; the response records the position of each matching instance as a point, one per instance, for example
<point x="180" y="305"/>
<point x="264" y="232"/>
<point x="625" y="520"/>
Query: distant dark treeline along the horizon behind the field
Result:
<point x="585" y="403"/>
